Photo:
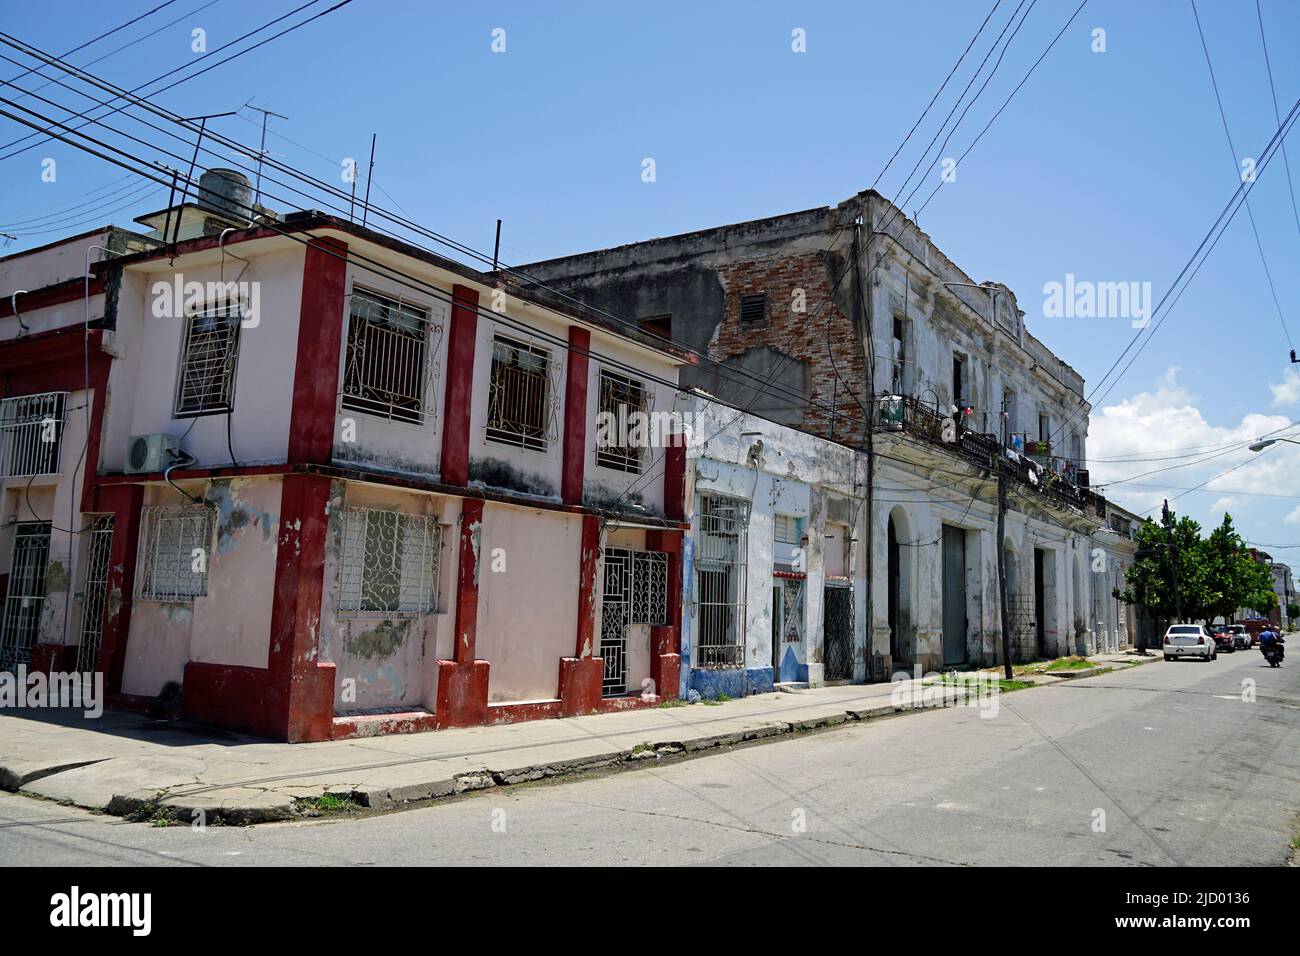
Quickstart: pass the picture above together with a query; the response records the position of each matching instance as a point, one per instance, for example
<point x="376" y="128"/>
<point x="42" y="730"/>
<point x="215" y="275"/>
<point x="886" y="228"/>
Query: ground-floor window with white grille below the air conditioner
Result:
<point x="175" y="553"/>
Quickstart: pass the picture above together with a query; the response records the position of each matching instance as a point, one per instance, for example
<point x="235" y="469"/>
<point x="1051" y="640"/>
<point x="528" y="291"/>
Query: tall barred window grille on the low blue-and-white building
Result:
<point x="721" y="578"/>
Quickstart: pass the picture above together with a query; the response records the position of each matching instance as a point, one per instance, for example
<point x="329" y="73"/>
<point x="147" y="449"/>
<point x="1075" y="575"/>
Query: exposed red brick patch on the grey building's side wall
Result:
<point x="805" y="336"/>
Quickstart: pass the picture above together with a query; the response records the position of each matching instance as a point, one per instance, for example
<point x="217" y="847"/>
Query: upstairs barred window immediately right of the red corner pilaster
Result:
<point x="388" y="370"/>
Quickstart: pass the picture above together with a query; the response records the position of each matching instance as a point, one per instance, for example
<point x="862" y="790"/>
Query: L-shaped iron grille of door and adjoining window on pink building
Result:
<point x="636" y="592"/>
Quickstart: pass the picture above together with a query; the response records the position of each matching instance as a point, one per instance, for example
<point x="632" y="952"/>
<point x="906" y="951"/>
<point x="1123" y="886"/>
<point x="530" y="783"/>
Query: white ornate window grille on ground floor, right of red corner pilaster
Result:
<point x="389" y="563"/>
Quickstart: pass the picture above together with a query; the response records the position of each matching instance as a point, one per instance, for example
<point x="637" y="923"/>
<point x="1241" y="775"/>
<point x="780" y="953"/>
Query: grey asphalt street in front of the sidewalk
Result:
<point x="1162" y="765"/>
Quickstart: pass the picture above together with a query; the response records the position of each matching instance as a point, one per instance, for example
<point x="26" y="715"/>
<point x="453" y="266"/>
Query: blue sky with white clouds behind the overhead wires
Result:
<point x="1107" y="166"/>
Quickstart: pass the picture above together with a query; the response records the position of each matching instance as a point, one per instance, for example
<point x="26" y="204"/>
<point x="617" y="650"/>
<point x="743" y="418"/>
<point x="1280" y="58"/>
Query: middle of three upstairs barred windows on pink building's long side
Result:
<point x="523" y="396"/>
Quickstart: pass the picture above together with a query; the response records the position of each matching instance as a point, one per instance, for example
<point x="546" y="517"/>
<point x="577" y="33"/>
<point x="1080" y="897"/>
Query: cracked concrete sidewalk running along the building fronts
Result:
<point x="125" y="764"/>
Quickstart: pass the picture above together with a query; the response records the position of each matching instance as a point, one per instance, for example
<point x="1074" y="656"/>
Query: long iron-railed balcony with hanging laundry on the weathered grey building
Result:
<point x="1051" y="478"/>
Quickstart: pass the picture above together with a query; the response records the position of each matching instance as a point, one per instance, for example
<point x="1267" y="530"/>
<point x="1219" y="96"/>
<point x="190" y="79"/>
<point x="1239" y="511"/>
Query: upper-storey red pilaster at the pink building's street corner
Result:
<point x="320" y="336"/>
